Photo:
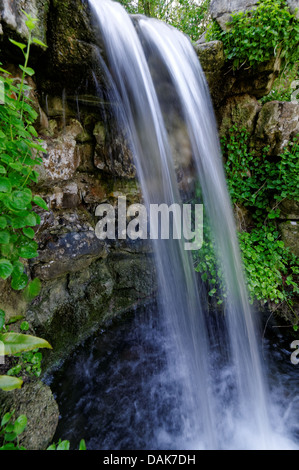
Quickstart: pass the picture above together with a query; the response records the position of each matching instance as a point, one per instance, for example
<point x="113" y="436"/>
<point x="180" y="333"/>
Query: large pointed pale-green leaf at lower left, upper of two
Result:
<point x="15" y="343"/>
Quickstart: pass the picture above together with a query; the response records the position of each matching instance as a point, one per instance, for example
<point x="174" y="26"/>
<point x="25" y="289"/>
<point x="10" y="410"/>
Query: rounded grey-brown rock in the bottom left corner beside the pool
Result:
<point x="36" y="401"/>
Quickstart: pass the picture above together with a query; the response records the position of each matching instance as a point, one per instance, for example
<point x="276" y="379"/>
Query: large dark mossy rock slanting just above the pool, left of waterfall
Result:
<point x="71" y="307"/>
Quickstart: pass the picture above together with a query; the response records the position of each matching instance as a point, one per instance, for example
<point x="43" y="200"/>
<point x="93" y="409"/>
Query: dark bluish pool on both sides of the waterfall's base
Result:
<point x="116" y="392"/>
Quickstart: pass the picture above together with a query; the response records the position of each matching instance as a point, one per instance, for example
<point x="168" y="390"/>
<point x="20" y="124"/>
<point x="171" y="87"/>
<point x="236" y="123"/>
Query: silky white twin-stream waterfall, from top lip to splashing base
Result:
<point x="224" y="401"/>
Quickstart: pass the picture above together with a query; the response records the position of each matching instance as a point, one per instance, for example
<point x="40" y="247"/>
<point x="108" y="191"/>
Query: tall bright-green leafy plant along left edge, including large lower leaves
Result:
<point x="19" y="154"/>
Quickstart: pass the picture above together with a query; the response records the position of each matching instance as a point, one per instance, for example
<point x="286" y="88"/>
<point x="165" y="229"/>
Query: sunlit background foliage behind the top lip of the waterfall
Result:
<point x="189" y="16"/>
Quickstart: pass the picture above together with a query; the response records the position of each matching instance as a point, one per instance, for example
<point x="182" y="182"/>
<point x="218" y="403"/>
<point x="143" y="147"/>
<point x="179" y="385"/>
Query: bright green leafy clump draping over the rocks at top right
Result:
<point x="258" y="35"/>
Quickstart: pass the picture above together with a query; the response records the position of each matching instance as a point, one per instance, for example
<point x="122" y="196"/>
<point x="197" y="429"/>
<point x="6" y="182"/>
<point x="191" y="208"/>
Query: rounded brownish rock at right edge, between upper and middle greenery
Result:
<point x="277" y="124"/>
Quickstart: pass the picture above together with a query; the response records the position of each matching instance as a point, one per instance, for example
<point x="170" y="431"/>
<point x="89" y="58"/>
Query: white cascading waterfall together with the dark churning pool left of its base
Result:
<point x="190" y="380"/>
